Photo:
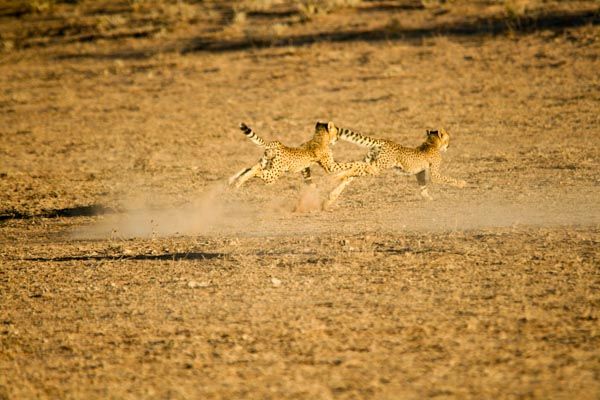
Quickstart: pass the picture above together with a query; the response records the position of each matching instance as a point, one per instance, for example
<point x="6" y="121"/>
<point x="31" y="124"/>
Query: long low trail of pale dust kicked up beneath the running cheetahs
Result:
<point x="221" y="211"/>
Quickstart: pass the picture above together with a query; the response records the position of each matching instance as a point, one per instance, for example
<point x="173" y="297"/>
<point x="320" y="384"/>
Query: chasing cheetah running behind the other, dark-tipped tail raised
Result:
<point x="279" y="158"/>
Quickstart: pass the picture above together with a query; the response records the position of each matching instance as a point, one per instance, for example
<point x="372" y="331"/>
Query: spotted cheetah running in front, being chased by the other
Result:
<point x="385" y="154"/>
